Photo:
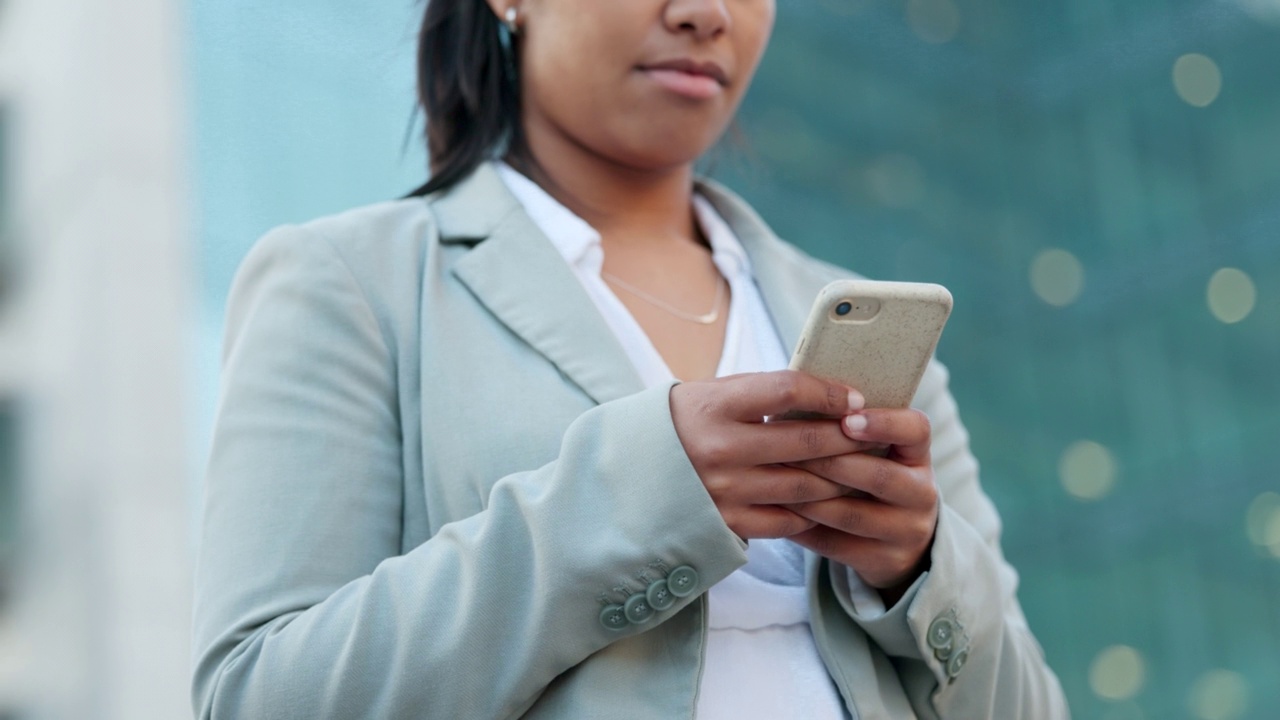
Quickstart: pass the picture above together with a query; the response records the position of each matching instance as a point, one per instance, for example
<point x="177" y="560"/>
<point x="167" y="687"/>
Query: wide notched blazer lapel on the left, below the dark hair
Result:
<point x="520" y="277"/>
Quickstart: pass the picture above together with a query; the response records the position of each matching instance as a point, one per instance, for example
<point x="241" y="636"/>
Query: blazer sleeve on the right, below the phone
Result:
<point x="959" y="639"/>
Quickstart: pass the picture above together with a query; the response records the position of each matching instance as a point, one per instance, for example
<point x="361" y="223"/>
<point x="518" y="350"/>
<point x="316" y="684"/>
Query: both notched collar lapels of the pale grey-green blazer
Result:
<point x="515" y="271"/>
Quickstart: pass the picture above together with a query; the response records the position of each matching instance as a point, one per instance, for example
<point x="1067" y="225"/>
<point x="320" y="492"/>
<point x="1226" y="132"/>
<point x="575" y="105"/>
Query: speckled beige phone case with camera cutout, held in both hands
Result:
<point x="883" y="341"/>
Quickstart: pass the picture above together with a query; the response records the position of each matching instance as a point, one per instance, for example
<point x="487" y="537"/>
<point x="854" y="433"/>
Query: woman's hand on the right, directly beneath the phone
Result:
<point x="884" y="526"/>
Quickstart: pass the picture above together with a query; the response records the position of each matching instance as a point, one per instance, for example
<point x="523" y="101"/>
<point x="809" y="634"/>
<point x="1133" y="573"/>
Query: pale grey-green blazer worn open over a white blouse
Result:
<point x="436" y="472"/>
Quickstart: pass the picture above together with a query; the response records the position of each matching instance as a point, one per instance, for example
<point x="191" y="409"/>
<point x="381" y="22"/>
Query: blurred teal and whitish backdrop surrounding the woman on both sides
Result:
<point x="1096" y="181"/>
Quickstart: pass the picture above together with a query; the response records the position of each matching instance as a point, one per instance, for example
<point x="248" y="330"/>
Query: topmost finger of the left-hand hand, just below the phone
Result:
<point x="761" y="395"/>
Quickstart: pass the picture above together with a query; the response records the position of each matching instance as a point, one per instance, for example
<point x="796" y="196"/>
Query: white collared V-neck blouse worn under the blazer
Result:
<point x="761" y="655"/>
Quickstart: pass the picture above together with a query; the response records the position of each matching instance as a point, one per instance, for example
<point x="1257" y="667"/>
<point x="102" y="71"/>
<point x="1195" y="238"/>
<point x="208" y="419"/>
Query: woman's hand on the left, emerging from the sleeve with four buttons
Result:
<point x="743" y="461"/>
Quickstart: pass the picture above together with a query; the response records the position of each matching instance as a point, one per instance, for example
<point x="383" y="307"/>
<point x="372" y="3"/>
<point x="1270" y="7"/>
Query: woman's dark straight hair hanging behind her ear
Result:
<point x="468" y="89"/>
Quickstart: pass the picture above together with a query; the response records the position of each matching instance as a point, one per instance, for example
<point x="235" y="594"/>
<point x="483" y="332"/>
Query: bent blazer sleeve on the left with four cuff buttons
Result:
<point x="305" y="604"/>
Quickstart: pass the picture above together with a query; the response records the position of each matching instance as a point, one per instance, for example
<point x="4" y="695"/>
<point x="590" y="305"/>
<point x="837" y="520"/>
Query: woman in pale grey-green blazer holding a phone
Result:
<point x="454" y="475"/>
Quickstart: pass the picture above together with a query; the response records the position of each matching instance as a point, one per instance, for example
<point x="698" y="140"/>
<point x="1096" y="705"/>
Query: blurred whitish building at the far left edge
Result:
<point x="94" y="298"/>
